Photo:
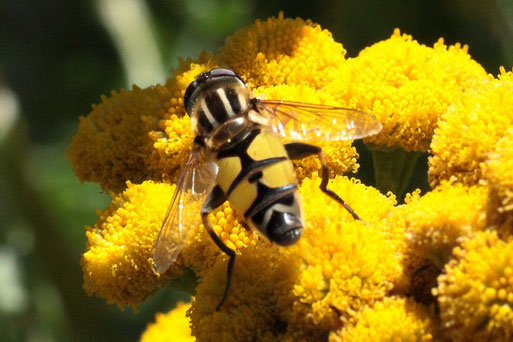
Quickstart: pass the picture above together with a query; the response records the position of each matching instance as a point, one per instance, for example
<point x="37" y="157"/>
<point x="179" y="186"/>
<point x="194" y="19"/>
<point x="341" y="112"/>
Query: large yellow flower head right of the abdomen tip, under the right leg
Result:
<point x="346" y="263"/>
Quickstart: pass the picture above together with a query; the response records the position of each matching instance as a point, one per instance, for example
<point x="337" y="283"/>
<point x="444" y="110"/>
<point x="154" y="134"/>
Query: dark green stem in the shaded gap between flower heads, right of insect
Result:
<point x="393" y="169"/>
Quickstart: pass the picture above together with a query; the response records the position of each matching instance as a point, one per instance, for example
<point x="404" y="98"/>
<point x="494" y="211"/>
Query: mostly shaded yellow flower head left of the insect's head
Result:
<point x="136" y="135"/>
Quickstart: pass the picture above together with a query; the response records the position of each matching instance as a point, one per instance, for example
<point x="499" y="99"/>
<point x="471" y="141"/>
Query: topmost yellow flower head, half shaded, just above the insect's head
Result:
<point x="283" y="51"/>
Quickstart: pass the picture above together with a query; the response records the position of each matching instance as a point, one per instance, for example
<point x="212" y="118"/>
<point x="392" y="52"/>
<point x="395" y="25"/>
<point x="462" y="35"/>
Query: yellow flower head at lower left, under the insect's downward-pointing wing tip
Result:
<point x="118" y="262"/>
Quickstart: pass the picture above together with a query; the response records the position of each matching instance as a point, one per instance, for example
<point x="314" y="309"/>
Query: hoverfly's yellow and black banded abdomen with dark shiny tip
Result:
<point x="259" y="180"/>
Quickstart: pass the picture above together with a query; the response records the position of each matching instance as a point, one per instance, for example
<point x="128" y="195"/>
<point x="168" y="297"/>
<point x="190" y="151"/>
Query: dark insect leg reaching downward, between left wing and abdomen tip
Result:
<point x="214" y="200"/>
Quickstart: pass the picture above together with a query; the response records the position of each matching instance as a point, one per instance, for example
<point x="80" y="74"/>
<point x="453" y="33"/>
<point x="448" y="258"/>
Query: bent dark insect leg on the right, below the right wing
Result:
<point x="296" y="150"/>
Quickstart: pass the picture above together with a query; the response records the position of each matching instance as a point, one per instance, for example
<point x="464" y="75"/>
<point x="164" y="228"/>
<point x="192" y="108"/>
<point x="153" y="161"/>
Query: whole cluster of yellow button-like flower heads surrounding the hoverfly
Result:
<point x="345" y="279"/>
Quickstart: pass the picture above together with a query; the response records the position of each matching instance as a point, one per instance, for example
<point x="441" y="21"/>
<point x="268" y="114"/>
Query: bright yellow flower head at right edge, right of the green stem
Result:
<point x="470" y="130"/>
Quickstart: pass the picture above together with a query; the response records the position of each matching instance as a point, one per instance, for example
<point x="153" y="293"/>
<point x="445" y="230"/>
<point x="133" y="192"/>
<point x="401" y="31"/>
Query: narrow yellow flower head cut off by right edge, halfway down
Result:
<point x="498" y="171"/>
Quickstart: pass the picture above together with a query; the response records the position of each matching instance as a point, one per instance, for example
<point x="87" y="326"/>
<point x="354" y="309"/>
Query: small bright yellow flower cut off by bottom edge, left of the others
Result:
<point x="173" y="326"/>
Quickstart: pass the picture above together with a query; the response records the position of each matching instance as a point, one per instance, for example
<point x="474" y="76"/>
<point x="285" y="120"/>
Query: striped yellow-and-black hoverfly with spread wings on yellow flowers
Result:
<point x="238" y="156"/>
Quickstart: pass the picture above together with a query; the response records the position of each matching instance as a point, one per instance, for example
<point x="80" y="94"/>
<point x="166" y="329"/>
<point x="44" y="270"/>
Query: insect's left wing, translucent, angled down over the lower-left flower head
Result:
<point x="196" y="180"/>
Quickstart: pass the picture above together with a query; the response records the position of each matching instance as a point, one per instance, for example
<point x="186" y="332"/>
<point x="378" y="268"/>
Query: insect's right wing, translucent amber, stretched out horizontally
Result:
<point x="303" y="121"/>
